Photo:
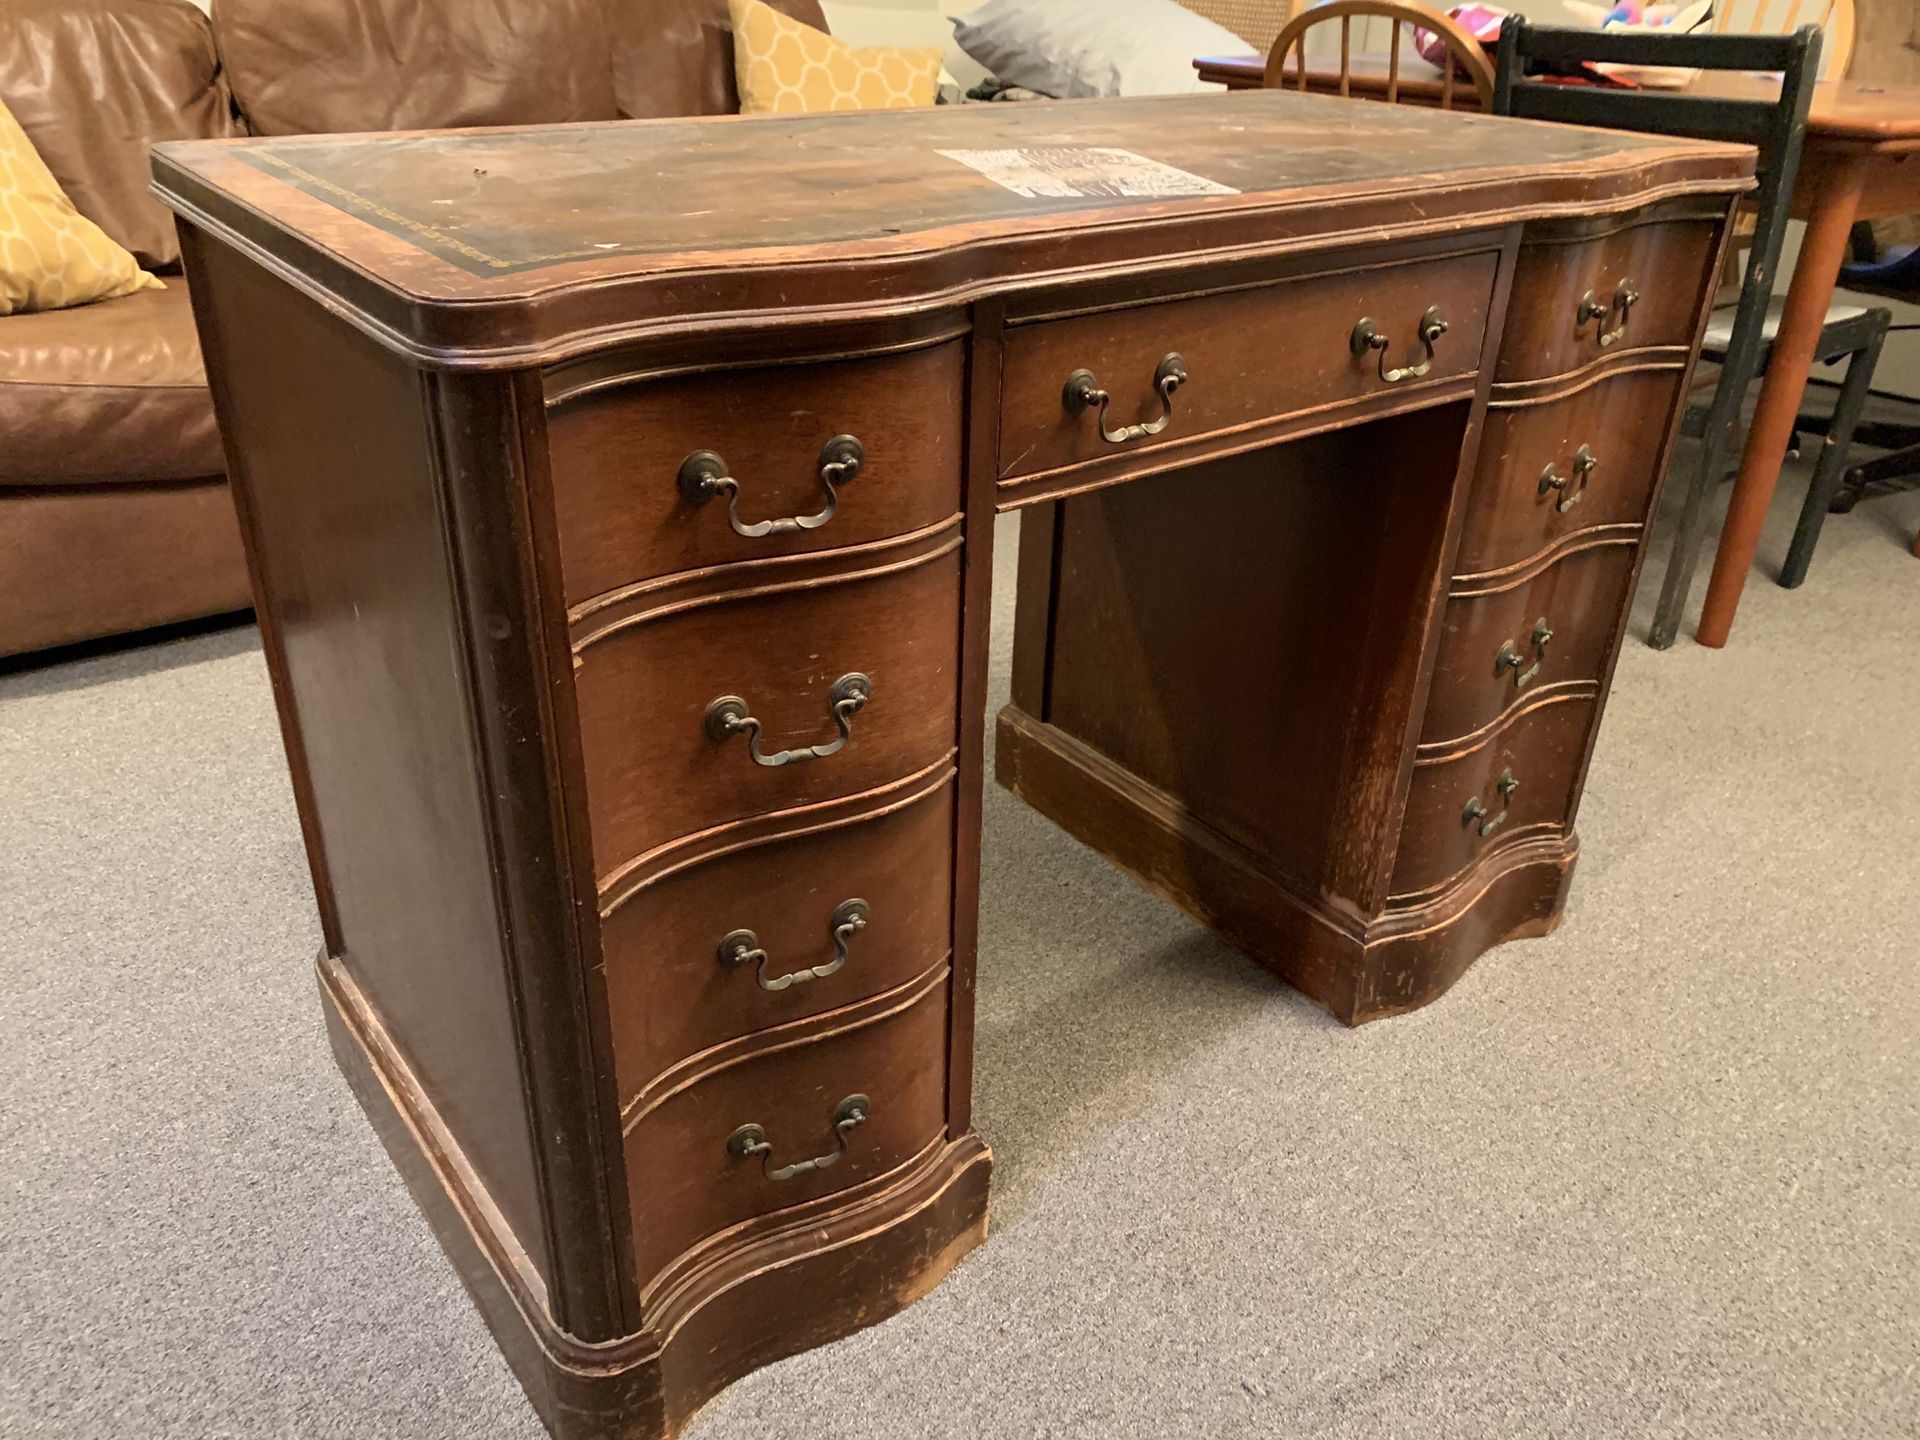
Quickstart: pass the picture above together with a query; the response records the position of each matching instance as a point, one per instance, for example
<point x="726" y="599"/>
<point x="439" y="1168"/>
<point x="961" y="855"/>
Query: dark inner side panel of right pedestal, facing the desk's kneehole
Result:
<point x="1182" y="654"/>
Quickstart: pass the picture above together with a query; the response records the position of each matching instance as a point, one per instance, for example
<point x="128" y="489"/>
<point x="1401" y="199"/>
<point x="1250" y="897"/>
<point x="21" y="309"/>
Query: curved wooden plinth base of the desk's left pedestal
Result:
<point x="763" y="1293"/>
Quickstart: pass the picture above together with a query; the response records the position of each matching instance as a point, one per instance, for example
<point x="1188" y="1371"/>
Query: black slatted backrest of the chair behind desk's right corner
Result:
<point x="1777" y="126"/>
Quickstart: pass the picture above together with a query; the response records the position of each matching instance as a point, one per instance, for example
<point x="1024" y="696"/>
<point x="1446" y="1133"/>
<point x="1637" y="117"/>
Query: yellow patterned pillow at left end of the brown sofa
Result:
<point x="53" y="256"/>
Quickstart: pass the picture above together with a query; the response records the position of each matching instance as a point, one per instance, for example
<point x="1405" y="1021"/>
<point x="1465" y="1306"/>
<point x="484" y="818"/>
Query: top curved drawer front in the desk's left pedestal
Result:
<point x="617" y="456"/>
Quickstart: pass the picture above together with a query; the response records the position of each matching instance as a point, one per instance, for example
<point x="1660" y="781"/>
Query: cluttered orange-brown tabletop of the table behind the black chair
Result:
<point x="1865" y="112"/>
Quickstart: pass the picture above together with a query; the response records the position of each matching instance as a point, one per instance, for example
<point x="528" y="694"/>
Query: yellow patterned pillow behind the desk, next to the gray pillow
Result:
<point x="790" y="68"/>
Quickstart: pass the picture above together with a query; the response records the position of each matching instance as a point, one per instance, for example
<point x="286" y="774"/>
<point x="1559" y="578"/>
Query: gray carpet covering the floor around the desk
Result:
<point x="1650" y="1178"/>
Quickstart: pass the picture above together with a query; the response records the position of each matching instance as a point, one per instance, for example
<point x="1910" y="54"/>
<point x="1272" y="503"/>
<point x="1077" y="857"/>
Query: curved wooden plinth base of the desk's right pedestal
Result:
<point x="1355" y="967"/>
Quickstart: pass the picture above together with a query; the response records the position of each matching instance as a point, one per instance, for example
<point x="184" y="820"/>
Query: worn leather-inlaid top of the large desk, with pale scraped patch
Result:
<point x="464" y="241"/>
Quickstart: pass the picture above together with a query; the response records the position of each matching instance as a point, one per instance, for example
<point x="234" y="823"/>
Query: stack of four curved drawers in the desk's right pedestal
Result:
<point x="1577" y="429"/>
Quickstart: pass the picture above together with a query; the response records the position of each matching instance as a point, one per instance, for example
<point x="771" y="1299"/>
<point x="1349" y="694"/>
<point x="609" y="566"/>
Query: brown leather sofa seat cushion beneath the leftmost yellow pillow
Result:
<point x="105" y="395"/>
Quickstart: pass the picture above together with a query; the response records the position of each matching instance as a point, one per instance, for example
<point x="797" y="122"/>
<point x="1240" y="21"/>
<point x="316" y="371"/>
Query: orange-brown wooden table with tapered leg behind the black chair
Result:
<point x="1861" y="162"/>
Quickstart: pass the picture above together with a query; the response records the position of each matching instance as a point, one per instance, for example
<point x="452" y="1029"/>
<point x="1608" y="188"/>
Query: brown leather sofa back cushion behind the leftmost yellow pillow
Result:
<point x="95" y="84"/>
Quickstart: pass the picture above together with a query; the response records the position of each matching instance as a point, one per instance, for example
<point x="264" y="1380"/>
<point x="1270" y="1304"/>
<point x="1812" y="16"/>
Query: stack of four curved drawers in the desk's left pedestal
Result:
<point x="763" y="583"/>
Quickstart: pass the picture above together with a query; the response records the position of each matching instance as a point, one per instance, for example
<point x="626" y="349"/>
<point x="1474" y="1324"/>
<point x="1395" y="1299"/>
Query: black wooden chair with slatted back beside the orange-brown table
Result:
<point x="1740" y="337"/>
